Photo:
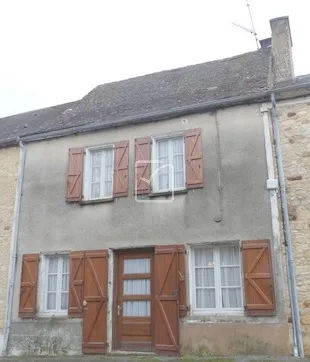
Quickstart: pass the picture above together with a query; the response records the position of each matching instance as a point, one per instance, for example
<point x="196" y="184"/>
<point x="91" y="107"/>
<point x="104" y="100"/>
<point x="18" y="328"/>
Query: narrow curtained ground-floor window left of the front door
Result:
<point x="56" y="284"/>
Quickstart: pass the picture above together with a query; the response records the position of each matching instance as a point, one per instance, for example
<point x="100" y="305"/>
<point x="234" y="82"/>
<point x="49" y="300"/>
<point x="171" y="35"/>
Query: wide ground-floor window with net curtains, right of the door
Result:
<point x="216" y="275"/>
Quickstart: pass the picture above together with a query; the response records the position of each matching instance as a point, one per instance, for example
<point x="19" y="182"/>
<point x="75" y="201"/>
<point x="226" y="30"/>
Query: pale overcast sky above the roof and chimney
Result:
<point x="53" y="52"/>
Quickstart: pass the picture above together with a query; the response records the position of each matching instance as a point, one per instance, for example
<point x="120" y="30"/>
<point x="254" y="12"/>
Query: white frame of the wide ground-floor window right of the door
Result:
<point x="217" y="279"/>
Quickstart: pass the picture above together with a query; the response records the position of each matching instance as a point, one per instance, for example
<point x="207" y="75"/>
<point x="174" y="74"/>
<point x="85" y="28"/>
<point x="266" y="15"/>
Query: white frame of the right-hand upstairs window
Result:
<point x="154" y="178"/>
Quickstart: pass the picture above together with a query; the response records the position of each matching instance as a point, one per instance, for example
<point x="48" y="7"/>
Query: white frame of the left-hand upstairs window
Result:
<point x="88" y="174"/>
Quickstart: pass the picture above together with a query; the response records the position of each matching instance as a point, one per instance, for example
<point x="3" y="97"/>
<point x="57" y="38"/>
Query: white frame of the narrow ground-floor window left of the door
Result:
<point x="43" y="284"/>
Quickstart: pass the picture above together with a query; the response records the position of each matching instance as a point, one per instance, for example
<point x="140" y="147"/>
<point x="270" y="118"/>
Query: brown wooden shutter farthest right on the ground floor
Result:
<point x="258" y="279"/>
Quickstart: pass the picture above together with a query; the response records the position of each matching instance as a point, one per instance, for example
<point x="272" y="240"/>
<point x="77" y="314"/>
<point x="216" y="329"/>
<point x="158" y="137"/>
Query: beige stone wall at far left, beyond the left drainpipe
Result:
<point x="9" y="159"/>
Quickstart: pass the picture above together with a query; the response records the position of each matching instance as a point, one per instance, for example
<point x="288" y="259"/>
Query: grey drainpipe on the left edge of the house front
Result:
<point x="12" y="267"/>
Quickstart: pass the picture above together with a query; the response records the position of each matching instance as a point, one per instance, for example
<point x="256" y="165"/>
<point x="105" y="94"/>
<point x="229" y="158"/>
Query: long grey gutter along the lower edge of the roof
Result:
<point x="159" y="116"/>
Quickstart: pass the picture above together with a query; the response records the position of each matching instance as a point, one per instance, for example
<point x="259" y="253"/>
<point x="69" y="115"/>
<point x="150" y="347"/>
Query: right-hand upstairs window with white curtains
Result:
<point x="168" y="164"/>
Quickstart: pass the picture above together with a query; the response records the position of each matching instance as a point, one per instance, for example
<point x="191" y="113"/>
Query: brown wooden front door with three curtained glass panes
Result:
<point x="134" y="301"/>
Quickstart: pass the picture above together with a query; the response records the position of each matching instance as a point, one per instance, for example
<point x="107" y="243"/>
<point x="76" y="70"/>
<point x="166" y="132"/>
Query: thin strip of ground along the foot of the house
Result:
<point x="151" y="359"/>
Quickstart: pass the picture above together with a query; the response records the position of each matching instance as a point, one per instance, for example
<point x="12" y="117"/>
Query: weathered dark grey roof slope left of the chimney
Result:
<point x="158" y="92"/>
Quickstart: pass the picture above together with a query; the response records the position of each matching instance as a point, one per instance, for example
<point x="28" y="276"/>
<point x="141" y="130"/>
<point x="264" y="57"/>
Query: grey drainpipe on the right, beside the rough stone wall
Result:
<point x="287" y="234"/>
